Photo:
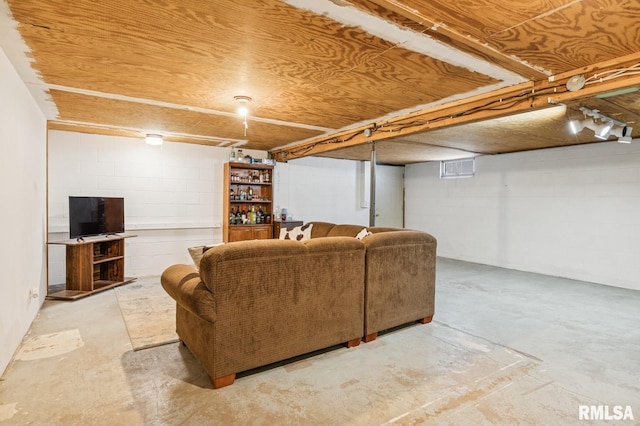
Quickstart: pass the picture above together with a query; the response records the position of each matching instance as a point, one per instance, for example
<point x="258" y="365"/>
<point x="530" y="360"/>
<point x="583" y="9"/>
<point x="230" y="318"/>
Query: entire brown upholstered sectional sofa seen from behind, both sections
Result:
<point x="257" y="302"/>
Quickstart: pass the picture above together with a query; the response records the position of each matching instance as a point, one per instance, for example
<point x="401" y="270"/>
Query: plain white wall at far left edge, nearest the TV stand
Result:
<point x="23" y="212"/>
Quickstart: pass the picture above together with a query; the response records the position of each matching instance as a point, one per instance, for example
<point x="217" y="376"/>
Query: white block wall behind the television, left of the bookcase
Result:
<point x="173" y="195"/>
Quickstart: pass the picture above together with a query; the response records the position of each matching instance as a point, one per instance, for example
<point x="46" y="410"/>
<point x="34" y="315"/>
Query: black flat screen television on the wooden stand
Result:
<point x="95" y="216"/>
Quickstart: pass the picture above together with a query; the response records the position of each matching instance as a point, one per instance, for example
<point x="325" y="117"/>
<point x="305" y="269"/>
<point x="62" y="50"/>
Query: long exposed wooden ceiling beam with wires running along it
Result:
<point x="512" y="100"/>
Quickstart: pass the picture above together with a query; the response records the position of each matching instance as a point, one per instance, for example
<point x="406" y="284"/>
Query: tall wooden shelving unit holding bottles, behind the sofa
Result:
<point x="238" y="178"/>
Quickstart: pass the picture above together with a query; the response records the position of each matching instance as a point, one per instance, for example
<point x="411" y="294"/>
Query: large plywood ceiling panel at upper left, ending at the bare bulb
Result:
<point x="198" y="54"/>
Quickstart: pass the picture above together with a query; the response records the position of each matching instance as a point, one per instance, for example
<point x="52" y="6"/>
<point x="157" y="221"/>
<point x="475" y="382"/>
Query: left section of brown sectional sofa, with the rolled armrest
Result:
<point x="257" y="302"/>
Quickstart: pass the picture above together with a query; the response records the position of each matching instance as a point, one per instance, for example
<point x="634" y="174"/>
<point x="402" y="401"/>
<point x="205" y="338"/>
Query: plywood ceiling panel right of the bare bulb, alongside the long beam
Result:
<point x="397" y="80"/>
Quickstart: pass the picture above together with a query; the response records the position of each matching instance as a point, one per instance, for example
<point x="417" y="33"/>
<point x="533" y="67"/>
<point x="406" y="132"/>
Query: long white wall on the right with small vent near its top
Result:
<point x="569" y="212"/>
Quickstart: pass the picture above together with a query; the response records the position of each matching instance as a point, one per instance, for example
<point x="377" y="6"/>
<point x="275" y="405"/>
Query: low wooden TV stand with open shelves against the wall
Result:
<point x="93" y="265"/>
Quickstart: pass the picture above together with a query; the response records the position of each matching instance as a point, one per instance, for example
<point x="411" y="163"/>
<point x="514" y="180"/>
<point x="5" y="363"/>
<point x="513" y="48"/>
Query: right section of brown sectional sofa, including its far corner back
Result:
<point x="400" y="274"/>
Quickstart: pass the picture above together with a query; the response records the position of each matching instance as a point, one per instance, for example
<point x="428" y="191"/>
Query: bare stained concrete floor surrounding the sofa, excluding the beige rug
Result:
<point x="505" y="347"/>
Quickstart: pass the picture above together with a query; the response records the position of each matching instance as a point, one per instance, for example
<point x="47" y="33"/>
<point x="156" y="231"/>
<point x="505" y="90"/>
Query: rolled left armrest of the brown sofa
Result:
<point x="184" y="285"/>
